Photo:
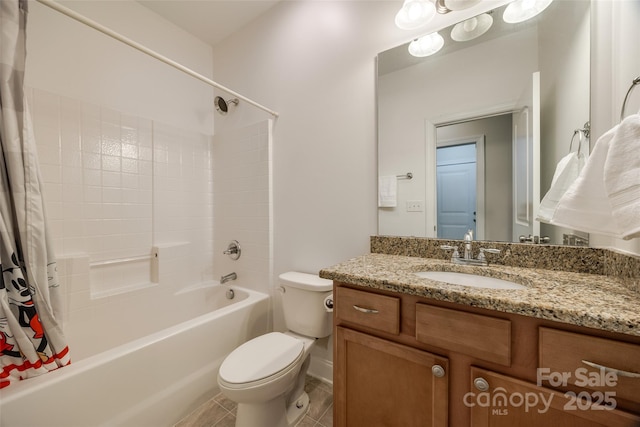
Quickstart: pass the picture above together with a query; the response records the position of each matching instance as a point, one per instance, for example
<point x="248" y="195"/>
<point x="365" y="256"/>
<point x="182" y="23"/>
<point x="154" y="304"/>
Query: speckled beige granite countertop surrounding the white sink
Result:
<point x="582" y="299"/>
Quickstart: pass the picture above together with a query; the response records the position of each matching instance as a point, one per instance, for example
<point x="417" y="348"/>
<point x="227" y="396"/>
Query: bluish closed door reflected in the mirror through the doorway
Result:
<point x="456" y="190"/>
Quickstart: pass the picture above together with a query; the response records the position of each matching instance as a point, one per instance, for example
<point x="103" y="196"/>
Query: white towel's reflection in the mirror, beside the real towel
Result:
<point x="566" y="173"/>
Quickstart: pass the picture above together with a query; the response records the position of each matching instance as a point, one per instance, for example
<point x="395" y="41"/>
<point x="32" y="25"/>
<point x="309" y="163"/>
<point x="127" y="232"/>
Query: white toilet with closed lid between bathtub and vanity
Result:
<point x="266" y="375"/>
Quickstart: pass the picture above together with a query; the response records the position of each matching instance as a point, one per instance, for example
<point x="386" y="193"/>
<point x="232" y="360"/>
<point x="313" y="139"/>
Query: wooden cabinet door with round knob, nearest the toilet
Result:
<point x="383" y="384"/>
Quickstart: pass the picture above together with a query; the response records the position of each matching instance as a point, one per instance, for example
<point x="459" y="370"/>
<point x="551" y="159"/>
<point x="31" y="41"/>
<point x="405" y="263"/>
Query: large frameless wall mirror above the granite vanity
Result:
<point x="467" y="124"/>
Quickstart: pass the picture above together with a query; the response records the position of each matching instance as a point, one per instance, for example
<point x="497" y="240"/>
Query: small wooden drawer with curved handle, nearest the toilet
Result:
<point x="367" y="309"/>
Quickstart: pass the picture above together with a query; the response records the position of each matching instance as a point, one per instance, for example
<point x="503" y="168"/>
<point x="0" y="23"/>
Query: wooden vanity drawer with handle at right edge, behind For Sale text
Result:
<point x="566" y="353"/>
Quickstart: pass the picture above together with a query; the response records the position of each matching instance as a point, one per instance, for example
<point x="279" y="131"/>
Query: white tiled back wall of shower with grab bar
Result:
<point x="120" y="190"/>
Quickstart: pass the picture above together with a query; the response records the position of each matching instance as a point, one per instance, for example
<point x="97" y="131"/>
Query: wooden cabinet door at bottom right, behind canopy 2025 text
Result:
<point x="508" y="402"/>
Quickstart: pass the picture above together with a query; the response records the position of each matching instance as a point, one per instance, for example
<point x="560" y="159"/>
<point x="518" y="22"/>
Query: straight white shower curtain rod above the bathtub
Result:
<point x="83" y="19"/>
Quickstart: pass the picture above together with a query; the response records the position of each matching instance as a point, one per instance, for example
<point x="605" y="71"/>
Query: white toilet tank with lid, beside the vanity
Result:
<point x="303" y="304"/>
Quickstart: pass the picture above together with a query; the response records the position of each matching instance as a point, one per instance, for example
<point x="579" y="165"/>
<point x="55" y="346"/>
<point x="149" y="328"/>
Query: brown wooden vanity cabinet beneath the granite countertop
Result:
<point x="389" y="345"/>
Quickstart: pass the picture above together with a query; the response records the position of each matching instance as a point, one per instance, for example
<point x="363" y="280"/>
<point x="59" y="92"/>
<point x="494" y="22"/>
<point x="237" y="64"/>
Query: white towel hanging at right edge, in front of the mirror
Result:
<point x="611" y="208"/>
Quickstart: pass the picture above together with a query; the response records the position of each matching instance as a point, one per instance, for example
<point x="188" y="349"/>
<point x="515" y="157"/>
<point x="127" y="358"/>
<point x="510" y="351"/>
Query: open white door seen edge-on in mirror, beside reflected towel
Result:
<point x="526" y="161"/>
